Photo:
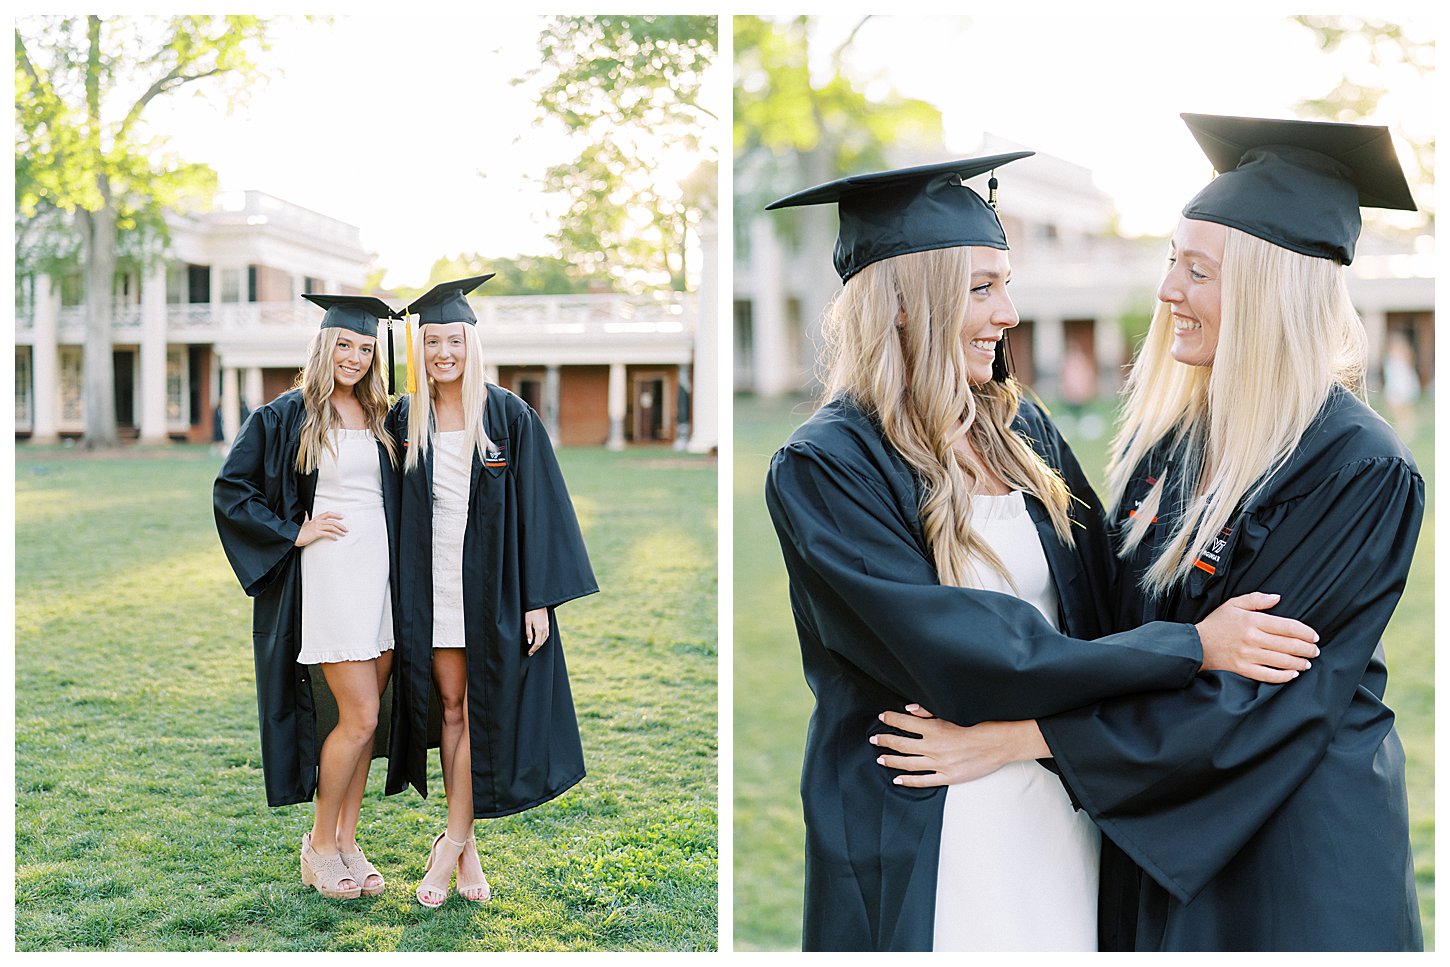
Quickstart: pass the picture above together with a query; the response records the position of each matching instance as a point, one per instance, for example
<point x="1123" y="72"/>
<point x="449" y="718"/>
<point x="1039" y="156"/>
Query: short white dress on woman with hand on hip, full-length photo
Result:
<point x="347" y="613"/>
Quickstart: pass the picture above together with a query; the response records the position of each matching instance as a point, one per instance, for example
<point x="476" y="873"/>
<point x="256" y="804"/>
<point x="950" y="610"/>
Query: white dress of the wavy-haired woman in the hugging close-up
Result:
<point x="1019" y="868"/>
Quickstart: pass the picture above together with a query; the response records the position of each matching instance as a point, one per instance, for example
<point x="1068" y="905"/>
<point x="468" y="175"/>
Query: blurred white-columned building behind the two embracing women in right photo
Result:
<point x="1084" y="292"/>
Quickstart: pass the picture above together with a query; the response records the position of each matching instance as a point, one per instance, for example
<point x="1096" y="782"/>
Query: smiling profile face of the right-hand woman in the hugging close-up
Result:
<point x="1191" y="289"/>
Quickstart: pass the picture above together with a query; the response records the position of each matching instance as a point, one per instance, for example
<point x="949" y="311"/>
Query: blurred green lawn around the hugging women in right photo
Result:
<point x="774" y="704"/>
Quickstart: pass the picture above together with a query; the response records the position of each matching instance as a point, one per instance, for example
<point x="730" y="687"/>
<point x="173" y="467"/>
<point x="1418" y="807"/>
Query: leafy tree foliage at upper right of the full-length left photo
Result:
<point x="631" y="88"/>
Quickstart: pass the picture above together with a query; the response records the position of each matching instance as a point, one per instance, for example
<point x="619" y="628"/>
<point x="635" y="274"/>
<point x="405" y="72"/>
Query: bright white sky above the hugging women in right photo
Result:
<point x="1106" y="92"/>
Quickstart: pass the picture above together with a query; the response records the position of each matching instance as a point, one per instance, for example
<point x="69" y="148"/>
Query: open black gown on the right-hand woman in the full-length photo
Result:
<point x="523" y="550"/>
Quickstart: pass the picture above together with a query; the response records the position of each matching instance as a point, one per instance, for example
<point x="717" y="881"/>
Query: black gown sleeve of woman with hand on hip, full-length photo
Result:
<point x="256" y="540"/>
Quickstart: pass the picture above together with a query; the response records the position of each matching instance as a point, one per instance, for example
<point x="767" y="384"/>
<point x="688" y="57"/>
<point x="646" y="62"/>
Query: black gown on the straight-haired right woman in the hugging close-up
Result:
<point x="1268" y="817"/>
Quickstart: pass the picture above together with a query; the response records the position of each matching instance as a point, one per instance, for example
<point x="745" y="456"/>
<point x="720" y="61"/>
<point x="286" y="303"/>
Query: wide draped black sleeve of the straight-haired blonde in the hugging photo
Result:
<point x="1182" y="781"/>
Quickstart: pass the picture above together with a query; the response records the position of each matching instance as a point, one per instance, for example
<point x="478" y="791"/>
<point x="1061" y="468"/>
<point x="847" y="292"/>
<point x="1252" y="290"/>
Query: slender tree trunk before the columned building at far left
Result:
<point x="99" y="231"/>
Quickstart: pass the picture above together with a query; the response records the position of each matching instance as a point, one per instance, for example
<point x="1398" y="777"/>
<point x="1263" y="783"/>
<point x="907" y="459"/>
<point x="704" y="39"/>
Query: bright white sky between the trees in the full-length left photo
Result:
<point x="407" y="127"/>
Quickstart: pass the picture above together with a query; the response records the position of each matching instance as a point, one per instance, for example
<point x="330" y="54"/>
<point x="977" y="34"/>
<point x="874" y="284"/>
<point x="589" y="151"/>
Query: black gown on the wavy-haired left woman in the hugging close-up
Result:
<point x="877" y="631"/>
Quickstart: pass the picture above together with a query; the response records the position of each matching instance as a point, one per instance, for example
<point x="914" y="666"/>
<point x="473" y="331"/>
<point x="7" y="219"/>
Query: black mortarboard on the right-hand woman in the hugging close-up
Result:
<point x="1297" y="183"/>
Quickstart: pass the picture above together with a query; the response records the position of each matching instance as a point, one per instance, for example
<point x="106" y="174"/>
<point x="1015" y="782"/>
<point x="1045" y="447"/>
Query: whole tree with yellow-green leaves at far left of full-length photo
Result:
<point x="88" y="163"/>
